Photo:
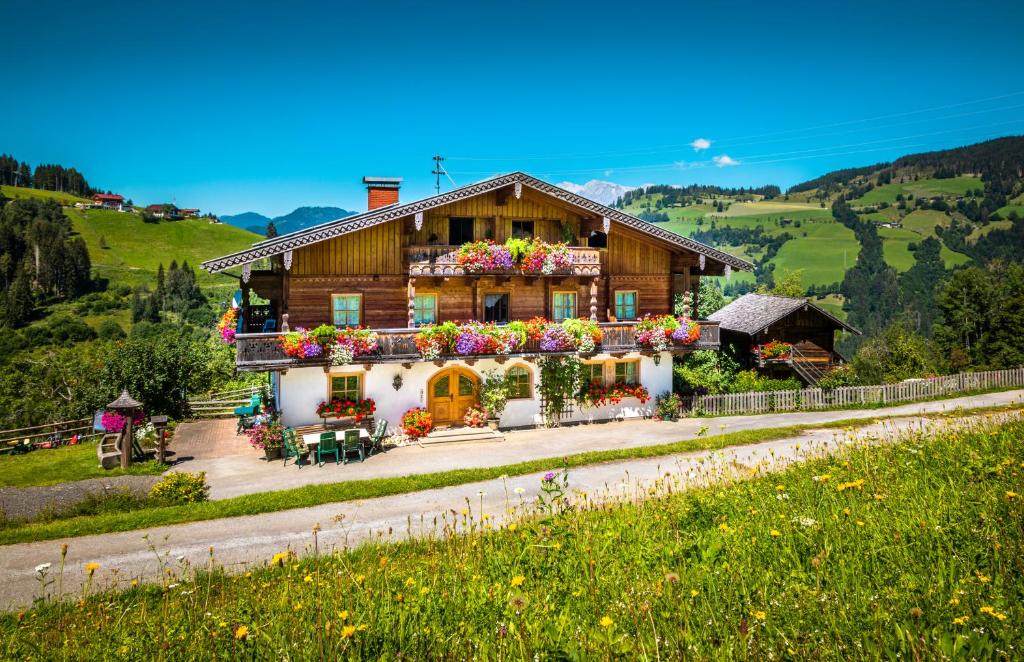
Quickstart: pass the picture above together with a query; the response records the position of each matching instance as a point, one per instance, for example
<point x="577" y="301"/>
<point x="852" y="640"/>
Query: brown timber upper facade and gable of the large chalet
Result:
<point x="395" y="268"/>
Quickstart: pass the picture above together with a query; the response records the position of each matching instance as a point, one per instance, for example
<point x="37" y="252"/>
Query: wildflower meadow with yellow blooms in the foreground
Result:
<point x="911" y="552"/>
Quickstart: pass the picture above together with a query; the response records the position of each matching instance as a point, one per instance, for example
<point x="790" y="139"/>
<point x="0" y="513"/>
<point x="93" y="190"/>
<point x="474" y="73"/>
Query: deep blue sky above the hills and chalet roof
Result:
<point x="267" y="107"/>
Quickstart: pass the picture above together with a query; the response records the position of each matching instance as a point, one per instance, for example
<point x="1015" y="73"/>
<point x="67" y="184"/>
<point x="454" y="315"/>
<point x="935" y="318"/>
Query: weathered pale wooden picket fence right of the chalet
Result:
<point x="808" y="399"/>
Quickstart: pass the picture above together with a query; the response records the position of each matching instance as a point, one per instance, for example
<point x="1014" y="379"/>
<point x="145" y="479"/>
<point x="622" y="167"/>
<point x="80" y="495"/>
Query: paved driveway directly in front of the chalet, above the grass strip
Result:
<point x="233" y="469"/>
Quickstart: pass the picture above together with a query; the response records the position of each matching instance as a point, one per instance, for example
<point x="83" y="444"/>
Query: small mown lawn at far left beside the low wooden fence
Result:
<point x="63" y="466"/>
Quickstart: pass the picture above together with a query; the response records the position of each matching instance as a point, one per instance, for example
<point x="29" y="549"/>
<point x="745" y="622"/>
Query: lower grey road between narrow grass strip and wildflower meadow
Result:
<point x="238" y="543"/>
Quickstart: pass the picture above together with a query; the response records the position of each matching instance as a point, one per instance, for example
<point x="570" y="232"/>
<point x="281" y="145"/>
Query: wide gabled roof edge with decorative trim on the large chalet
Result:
<point x="330" y="230"/>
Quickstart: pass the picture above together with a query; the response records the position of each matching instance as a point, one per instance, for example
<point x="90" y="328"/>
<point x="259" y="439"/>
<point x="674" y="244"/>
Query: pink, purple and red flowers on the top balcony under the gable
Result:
<point x="529" y="257"/>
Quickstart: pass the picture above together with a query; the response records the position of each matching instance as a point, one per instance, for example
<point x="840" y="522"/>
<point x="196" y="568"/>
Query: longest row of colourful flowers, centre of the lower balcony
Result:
<point x="476" y="339"/>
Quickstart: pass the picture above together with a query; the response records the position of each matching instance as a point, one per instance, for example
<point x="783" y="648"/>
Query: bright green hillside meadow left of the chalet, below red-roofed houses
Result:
<point x="136" y="249"/>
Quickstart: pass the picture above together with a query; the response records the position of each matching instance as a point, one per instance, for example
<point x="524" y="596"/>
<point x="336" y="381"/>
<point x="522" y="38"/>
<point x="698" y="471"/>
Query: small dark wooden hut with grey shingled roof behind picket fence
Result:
<point x="753" y="321"/>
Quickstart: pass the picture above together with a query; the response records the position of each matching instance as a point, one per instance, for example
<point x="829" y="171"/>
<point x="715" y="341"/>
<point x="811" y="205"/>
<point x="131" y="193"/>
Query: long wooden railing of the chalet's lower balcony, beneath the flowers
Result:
<point x="263" y="351"/>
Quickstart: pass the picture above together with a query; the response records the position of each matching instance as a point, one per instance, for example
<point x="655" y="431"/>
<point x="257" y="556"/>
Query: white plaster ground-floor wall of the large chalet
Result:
<point x="397" y="389"/>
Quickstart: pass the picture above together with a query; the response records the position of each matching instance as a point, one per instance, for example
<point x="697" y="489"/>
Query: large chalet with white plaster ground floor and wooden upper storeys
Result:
<point x="395" y="269"/>
